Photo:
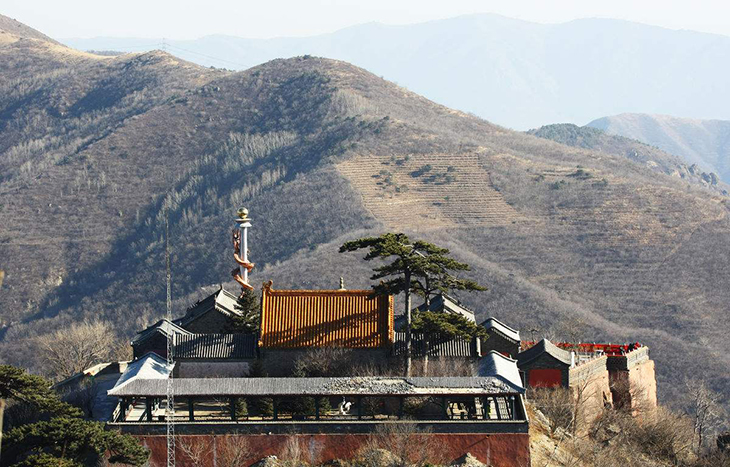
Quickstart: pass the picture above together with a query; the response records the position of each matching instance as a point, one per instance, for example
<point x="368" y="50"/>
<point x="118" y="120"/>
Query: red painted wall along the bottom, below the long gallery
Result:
<point x="497" y="450"/>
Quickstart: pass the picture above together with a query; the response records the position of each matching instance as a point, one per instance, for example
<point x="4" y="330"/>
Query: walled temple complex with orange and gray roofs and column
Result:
<point x="247" y="384"/>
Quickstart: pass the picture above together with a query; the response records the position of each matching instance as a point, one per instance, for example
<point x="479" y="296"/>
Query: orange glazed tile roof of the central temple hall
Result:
<point x="319" y="318"/>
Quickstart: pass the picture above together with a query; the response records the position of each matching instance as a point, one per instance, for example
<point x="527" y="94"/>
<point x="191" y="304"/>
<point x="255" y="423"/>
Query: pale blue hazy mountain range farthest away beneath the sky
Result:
<point x="514" y="73"/>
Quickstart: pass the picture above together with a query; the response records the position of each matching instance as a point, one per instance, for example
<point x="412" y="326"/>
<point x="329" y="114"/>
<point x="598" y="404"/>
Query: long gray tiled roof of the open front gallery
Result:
<point x="493" y="385"/>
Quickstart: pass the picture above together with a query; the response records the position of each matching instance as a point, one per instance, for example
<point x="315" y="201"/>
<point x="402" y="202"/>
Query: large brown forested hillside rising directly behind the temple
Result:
<point x="320" y="151"/>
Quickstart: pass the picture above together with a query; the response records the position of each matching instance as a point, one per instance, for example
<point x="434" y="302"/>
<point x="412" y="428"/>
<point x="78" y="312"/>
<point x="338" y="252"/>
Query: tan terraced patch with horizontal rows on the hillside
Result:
<point x="428" y="191"/>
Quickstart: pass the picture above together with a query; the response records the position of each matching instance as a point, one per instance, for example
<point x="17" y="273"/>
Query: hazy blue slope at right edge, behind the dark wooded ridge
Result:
<point x="702" y="142"/>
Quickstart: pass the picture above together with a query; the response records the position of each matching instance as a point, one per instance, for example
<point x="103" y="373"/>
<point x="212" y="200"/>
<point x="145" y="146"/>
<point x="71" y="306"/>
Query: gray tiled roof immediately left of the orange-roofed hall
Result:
<point x="215" y="346"/>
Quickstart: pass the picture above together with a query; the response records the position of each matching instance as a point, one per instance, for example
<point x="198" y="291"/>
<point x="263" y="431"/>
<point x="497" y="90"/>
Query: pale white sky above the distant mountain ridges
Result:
<point x="189" y="19"/>
